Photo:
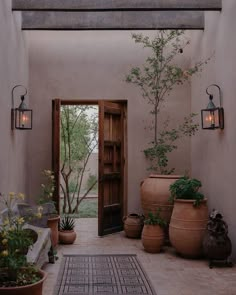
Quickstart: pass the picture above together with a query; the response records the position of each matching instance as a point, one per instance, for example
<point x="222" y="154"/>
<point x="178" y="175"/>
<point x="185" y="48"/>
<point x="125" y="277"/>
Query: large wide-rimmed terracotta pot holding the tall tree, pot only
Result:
<point x="155" y="194"/>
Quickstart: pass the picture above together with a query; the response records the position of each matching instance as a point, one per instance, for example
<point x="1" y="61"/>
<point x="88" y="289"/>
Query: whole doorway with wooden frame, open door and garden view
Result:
<point x="89" y="160"/>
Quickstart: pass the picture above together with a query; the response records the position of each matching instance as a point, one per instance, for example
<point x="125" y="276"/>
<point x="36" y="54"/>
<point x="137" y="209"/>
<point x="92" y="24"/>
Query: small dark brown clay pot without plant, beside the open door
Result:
<point x="133" y="225"/>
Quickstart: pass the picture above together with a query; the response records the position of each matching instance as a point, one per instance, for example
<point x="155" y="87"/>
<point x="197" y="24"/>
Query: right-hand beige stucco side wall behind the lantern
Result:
<point x="213" y="152"/>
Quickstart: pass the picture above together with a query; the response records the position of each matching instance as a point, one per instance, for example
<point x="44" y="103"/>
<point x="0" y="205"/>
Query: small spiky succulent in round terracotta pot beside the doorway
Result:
<point x="67" y="235"/>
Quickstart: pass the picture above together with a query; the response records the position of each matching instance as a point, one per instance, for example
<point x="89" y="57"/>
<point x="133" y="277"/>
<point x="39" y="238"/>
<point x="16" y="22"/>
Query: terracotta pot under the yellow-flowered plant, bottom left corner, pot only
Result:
<point x="32" y="289"/>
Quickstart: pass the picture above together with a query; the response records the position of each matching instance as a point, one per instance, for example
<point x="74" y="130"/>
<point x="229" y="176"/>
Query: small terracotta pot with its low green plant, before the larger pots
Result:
<point x="153" y="232"/>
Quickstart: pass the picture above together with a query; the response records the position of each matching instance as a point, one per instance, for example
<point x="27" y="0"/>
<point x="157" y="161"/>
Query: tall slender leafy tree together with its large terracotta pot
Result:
<point x="156" y="79"/>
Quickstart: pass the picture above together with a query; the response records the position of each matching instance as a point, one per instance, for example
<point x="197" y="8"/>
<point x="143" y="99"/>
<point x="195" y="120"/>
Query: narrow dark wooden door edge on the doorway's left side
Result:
<point x="56" y="106"/>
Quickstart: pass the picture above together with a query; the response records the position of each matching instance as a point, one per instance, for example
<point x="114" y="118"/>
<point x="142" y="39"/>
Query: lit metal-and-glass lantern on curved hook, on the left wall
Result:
<point x="21" y="117"/>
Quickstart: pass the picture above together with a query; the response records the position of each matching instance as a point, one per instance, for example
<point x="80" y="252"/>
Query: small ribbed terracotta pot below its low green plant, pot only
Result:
<point x="152" y="238"/>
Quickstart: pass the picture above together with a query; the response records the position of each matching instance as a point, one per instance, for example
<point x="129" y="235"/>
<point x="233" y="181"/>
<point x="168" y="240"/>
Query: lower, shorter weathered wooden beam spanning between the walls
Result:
<point x="132" y="20"/>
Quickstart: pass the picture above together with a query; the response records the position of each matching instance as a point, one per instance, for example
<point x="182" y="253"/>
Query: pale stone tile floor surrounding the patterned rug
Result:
<point x="169" y="274"/>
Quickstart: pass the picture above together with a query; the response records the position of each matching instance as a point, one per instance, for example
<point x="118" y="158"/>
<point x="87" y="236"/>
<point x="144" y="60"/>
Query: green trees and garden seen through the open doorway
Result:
<point x="79" y="139"/>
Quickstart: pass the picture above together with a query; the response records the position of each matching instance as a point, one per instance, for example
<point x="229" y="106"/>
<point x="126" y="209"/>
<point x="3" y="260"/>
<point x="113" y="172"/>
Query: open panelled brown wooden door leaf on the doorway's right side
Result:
<point x="112" y="190"/>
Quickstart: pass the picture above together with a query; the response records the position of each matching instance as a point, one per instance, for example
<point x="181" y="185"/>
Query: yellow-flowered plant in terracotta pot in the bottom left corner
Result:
<point x="17" y="276"/>
